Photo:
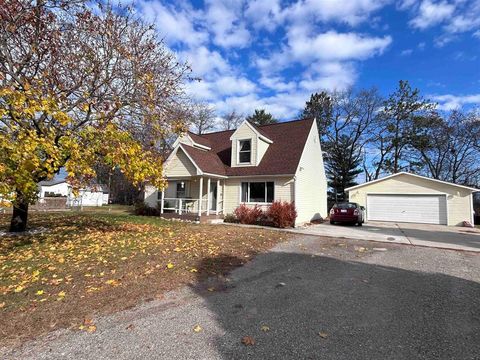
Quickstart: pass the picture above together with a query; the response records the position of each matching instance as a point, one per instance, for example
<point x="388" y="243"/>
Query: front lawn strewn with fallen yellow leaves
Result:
<point x="76" y="266"/>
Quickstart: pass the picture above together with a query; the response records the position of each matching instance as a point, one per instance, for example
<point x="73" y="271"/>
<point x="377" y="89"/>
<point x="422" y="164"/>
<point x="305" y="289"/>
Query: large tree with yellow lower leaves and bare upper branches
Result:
<point x="76" y="85"/>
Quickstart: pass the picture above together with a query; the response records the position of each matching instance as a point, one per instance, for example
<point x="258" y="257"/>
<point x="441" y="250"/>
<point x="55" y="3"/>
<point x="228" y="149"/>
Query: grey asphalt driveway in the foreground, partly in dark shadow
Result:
<point x="309" y="298"/>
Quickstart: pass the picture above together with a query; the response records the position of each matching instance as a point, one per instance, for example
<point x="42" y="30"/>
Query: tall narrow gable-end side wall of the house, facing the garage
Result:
<point x="311" y="182"/>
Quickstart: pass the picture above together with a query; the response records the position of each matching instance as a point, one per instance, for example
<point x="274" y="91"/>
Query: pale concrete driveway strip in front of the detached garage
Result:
<point x="448" y="237"/>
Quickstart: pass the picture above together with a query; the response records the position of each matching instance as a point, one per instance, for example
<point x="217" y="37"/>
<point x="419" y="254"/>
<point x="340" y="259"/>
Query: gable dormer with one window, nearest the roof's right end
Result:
<point x="249" y="145"/>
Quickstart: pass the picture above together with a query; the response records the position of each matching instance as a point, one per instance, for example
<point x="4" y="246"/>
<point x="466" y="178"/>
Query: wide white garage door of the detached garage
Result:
<point x="426" y="209"/>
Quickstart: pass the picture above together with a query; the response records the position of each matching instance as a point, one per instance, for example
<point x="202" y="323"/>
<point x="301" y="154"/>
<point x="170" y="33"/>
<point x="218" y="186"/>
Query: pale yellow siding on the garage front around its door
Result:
<point x="458" y="199"/>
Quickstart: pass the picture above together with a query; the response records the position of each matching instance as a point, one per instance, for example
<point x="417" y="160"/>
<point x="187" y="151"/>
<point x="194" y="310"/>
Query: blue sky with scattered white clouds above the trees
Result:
<point x="273" y="54"/>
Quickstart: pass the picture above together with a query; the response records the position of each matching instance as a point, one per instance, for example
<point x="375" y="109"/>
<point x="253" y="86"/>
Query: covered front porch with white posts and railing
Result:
<point x="195" y="196"/>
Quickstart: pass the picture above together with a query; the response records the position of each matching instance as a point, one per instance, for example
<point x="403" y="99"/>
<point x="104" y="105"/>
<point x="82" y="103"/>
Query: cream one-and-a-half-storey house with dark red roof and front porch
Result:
<point x="255" y="165"/>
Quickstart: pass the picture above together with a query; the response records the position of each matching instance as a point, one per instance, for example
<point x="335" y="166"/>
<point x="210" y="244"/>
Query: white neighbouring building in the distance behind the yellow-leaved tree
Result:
<point x="95" y="195"/>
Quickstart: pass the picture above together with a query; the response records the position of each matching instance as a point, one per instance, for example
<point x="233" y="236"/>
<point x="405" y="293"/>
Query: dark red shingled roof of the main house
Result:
<point x="282" y="157"/>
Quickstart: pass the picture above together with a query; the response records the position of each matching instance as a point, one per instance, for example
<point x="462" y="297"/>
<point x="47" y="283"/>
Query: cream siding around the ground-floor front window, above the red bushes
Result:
<point x="283" y="191"/>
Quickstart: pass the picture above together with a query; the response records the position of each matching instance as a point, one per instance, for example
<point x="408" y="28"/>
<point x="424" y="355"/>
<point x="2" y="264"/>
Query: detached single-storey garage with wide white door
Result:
<point x="405" y="197"/>
